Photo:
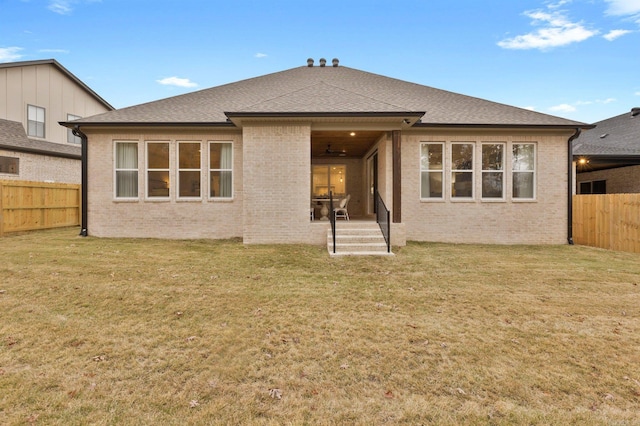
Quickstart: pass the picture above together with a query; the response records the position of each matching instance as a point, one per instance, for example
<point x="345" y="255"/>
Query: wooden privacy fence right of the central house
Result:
<point x="610" y="221"/>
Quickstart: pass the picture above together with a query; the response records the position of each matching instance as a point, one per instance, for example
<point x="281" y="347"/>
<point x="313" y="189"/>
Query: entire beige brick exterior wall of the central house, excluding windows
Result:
<point x="272" y="164"/>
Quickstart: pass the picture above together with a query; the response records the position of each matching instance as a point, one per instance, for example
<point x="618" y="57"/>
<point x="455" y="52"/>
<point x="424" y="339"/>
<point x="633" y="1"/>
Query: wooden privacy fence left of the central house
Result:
<point x="27" y="206"/>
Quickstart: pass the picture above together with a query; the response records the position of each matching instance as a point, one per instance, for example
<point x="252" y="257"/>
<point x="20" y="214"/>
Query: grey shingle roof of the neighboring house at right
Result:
<point x="616" y="136"/>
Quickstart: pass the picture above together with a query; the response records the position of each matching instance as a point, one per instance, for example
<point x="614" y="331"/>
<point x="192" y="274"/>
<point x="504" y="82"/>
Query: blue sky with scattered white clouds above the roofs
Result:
<point x="577" y="59"/>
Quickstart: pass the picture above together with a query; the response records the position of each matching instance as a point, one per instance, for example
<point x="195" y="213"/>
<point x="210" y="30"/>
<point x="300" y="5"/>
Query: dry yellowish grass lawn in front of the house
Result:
<point x="119" y="331"/>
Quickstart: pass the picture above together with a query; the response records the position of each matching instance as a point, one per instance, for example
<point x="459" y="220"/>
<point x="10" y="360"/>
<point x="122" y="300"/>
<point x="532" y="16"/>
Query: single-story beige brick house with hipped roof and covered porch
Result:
<point x="248" y="159"/>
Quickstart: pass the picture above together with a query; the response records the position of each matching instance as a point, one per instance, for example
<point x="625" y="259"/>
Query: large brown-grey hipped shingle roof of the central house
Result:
<point x="325" y="91"/>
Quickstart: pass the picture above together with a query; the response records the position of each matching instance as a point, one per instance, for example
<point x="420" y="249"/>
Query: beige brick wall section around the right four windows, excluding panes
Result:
<point x="542" y="221"/>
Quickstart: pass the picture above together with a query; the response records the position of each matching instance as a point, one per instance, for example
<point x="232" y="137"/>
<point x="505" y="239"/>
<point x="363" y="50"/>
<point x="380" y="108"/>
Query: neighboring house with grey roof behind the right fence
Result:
<point x="608" y="156"/>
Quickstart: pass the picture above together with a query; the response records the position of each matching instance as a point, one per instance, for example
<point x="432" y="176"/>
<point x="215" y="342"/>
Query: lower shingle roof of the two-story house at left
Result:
<point x="14" y="138"/>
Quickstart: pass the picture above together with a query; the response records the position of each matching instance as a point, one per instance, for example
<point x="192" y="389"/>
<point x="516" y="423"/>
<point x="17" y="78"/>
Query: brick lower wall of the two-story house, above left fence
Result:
<point x="43" y="168"/>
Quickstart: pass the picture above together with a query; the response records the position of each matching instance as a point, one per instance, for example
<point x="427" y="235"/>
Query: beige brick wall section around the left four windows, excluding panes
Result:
<point x="172" y="218"/>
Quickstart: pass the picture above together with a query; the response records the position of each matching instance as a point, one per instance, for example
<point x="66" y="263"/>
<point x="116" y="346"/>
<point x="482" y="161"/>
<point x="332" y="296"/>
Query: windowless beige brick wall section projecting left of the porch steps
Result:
<point x="276" y="173"/>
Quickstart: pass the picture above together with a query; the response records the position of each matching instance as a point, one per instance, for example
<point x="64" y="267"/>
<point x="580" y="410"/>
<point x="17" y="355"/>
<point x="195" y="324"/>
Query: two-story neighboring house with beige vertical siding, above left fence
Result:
<point x="34" y="97"/>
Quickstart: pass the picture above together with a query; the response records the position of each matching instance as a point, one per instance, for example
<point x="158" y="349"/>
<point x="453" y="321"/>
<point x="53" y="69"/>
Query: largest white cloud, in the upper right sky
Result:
<point x="556" y="30"/>
